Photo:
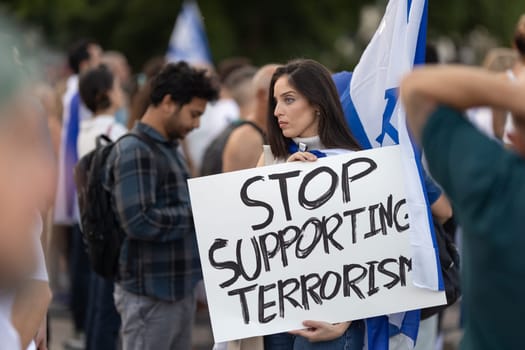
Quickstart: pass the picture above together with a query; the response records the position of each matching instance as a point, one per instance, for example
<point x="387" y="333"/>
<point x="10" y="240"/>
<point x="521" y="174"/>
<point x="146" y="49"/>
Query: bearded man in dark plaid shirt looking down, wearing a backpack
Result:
<point x="159" y="263"/>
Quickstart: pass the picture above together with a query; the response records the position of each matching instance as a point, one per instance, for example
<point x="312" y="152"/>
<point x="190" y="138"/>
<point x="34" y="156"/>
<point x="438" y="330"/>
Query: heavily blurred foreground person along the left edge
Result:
<point x="25" y="150"/>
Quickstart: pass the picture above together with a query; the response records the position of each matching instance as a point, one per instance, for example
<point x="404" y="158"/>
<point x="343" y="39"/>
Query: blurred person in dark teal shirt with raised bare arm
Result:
<point x="486" y="186"/>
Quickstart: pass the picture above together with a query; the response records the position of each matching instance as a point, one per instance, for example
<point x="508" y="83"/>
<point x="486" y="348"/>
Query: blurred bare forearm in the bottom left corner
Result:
<point x="29" y="309"/>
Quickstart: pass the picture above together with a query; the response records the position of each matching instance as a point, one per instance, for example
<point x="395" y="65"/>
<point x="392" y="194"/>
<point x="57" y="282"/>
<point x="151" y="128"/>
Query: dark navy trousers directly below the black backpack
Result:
<point x="103" y="322"/>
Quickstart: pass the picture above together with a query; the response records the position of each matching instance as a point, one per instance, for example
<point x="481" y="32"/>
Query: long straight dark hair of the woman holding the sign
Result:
<point x="314" y="82"/>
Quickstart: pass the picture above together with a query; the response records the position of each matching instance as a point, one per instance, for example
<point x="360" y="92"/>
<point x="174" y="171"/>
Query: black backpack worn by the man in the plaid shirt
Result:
<point x="100" y="230"/>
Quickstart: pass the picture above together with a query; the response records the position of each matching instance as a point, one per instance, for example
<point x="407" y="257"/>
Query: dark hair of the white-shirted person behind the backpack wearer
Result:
<point x="94" y="86"/>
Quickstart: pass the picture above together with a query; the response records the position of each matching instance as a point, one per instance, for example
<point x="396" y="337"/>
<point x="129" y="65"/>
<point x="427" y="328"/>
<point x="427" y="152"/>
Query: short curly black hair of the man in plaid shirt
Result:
<point x="182" y="83"/>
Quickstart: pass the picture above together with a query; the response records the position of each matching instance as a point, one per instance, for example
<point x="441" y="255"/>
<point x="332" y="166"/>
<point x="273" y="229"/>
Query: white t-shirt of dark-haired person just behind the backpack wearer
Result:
<point x="91" y="128"/>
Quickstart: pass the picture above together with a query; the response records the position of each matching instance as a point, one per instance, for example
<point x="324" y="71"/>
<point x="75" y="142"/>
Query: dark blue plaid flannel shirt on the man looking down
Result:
<point x="159" y="256"/>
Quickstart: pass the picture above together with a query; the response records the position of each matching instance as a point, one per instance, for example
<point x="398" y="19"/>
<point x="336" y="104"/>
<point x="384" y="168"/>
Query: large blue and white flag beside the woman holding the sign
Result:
<point x="377" y="119"/>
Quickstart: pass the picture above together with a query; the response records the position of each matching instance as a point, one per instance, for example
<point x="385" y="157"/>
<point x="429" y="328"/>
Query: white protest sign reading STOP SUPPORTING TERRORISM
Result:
<point x="325" y="240"/>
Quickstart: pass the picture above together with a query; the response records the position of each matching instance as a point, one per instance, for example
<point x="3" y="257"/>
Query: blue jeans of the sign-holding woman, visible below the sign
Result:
<point x="352" y="339"/>
